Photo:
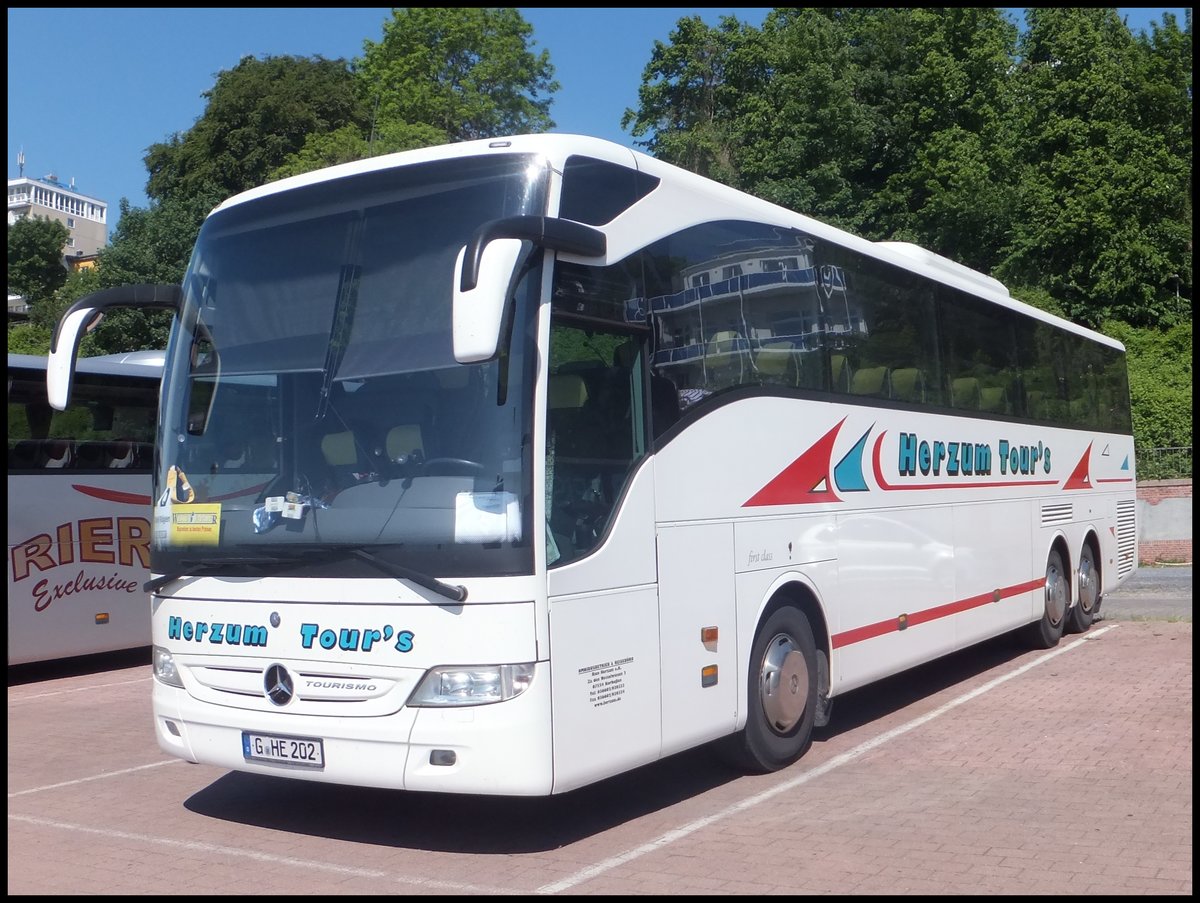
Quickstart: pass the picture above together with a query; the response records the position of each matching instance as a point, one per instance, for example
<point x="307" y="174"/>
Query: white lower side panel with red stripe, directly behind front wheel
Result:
<point x="896" y="570"/>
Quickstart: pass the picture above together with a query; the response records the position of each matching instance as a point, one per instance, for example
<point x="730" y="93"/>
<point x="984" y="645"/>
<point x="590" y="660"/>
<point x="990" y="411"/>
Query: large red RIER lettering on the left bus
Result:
<point x="95" y="539"/>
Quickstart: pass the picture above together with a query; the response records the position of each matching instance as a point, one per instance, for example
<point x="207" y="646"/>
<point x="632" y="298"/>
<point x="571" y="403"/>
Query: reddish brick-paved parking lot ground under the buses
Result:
<point x="1003" y="773"/>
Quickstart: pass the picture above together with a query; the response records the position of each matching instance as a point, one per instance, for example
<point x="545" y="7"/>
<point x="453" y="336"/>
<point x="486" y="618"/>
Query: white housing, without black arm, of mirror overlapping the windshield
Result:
<point x="479" y="312"/>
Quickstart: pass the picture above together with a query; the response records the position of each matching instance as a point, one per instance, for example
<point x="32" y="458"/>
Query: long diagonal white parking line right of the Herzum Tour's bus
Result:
<point x="679" y="834"/>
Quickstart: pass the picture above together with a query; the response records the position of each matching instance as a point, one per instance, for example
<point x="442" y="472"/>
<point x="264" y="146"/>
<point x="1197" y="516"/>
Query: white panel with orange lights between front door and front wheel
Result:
<point x="698" y="594"/>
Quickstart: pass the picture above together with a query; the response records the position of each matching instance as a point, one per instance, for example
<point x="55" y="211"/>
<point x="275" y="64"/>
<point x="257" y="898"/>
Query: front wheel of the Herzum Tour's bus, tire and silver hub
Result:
<point x="782" y="696"/>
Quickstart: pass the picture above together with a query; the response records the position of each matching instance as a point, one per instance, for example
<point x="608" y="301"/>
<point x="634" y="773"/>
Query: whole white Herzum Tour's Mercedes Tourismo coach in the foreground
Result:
<point x="573" y="461"/>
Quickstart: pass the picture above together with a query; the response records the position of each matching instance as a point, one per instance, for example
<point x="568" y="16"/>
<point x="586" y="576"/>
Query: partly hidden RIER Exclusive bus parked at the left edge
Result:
<point x="80" y="507"/>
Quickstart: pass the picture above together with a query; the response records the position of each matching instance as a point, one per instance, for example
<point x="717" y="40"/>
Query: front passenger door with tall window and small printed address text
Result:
<point x="601" y="555"/>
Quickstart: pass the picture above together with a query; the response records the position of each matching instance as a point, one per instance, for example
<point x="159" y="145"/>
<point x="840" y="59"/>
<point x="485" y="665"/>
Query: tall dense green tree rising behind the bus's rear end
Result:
<point x="1103" y="212"/>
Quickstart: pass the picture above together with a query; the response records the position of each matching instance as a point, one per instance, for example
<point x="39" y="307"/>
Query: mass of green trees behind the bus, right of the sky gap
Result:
<point x="1057" y="158"/>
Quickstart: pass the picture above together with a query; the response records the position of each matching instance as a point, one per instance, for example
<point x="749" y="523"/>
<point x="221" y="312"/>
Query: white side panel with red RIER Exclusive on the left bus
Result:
<point x="79" y="555"/>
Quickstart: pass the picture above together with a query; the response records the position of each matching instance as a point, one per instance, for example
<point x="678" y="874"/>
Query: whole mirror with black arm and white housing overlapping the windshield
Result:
<point x="484" y="272"/>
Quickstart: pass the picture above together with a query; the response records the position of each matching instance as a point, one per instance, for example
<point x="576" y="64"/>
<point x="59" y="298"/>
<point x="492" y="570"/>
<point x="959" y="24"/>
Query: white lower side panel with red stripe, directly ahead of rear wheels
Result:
<point x="993" y="571"/>
